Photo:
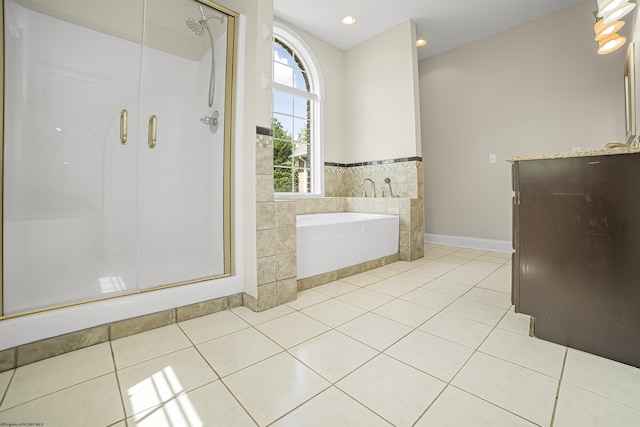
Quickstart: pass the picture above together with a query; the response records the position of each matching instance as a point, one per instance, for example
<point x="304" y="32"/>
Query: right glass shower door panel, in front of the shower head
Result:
<point x="181" y="168"/>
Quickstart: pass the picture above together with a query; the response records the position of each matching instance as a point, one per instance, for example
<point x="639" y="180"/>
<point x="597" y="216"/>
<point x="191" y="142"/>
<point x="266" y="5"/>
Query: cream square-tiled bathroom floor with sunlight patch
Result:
<point x="433" y="342"/>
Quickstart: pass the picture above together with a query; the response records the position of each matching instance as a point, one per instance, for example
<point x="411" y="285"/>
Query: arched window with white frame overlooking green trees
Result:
<point x="296" y="119"/>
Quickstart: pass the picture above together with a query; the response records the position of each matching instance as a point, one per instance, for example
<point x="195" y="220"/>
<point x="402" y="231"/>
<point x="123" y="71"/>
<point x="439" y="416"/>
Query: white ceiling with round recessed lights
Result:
<point x="446" y="24"/>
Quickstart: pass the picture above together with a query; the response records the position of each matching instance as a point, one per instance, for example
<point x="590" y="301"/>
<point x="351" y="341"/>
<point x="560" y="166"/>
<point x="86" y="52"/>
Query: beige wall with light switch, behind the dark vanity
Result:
<point x="537" y="88"/>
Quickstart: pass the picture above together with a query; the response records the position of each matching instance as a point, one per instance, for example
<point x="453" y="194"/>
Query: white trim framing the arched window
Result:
<point x="316" y="82"/>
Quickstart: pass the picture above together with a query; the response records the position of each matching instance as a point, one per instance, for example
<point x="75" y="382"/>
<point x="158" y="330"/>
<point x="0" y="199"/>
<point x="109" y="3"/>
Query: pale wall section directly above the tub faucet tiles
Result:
<point x="381" y="94"/>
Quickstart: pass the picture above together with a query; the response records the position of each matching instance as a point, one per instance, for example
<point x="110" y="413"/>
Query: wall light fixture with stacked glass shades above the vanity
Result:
<point x="607" y="24"/>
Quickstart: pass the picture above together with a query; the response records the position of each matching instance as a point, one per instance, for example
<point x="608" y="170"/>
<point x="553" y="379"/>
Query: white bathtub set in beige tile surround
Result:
<point x="330" y="241"/>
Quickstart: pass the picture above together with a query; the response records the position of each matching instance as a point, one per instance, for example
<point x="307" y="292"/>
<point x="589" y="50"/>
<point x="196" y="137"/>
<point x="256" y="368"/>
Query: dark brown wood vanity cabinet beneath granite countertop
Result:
<point x="576" y="265"/>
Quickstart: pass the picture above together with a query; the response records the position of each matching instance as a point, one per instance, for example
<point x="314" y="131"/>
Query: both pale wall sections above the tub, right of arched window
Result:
<point x="371" y="98"/>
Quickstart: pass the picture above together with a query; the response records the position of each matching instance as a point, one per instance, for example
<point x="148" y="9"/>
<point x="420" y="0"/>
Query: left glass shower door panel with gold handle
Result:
<point x="69" y="217"/>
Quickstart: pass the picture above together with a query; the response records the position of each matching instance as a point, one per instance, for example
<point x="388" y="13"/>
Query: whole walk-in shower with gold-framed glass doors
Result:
<point x="116" y="169"/>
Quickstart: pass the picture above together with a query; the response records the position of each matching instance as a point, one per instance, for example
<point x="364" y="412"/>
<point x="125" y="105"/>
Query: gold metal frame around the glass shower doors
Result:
<point x="228" y="173"/>
